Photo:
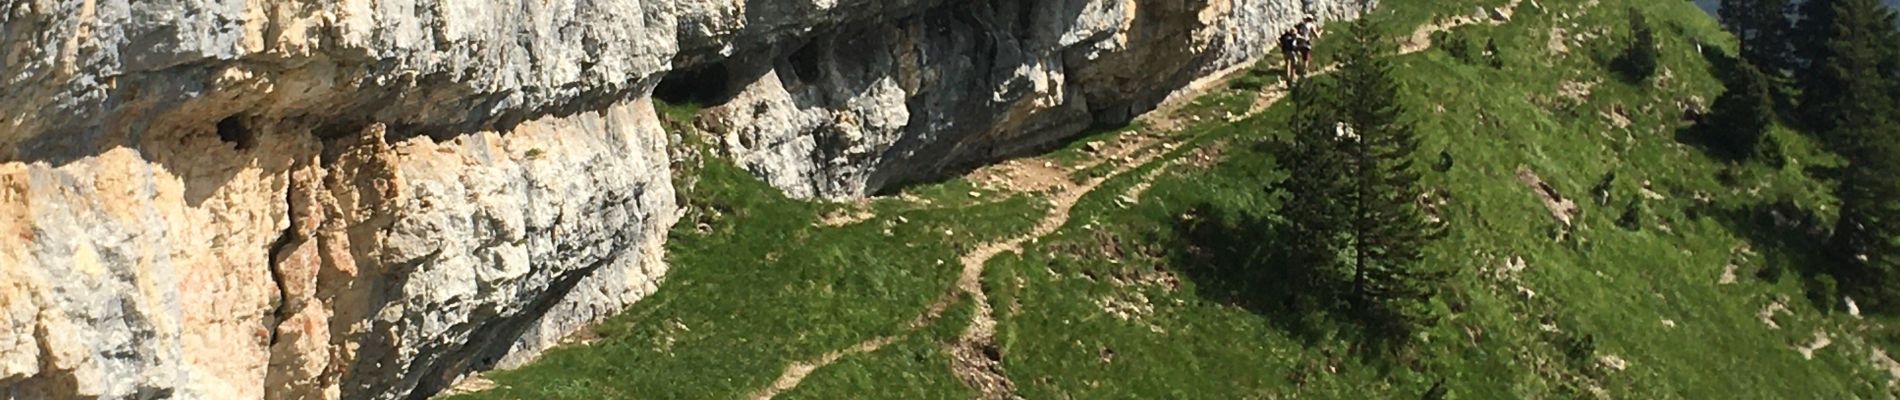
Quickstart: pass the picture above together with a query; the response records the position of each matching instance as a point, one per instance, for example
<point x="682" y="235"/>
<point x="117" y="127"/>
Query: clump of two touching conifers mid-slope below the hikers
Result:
<point x="1354" y="217"/>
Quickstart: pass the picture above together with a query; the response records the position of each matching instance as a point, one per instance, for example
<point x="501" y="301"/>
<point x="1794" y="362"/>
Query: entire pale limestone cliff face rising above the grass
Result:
<point x="373" y="198"/>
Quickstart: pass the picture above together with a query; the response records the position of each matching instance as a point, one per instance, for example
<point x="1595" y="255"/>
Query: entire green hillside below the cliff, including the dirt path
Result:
<point x="1597" y="242"/>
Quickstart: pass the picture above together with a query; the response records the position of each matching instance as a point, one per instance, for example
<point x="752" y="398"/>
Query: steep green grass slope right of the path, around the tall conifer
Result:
<point x="1616" y="287"/>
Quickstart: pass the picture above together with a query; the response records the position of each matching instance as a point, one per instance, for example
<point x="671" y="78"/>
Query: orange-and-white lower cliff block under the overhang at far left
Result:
<point x="356" y="266"/>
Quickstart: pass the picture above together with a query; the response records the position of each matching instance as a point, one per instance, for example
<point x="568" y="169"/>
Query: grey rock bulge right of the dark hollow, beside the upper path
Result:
<point x="860" y="109"/>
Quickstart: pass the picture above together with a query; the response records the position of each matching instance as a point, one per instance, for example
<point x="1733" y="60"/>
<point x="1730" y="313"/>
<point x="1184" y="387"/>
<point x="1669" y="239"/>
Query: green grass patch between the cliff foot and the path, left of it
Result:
<point x="759" y="282"/>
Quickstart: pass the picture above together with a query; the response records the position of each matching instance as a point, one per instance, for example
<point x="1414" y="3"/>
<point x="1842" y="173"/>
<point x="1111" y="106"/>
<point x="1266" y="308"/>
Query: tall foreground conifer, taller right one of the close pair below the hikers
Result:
<point x="1392" y="285"/>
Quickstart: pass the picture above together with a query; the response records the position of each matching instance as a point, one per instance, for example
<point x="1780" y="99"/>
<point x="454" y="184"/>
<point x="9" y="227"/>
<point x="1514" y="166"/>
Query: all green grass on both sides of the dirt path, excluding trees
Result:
<point x="1190" y="247"/>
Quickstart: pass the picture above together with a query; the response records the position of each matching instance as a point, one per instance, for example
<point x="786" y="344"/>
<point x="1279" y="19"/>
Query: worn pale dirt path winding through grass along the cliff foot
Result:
<point x="976" y="359"/>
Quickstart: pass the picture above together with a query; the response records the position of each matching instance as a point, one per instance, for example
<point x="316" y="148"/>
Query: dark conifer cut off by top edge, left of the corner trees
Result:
<point x="1762" y="29"/>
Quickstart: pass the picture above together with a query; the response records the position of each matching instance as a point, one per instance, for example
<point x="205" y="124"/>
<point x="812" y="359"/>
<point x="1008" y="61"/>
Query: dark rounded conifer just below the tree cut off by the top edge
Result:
<point x="1743" y="115"/>
